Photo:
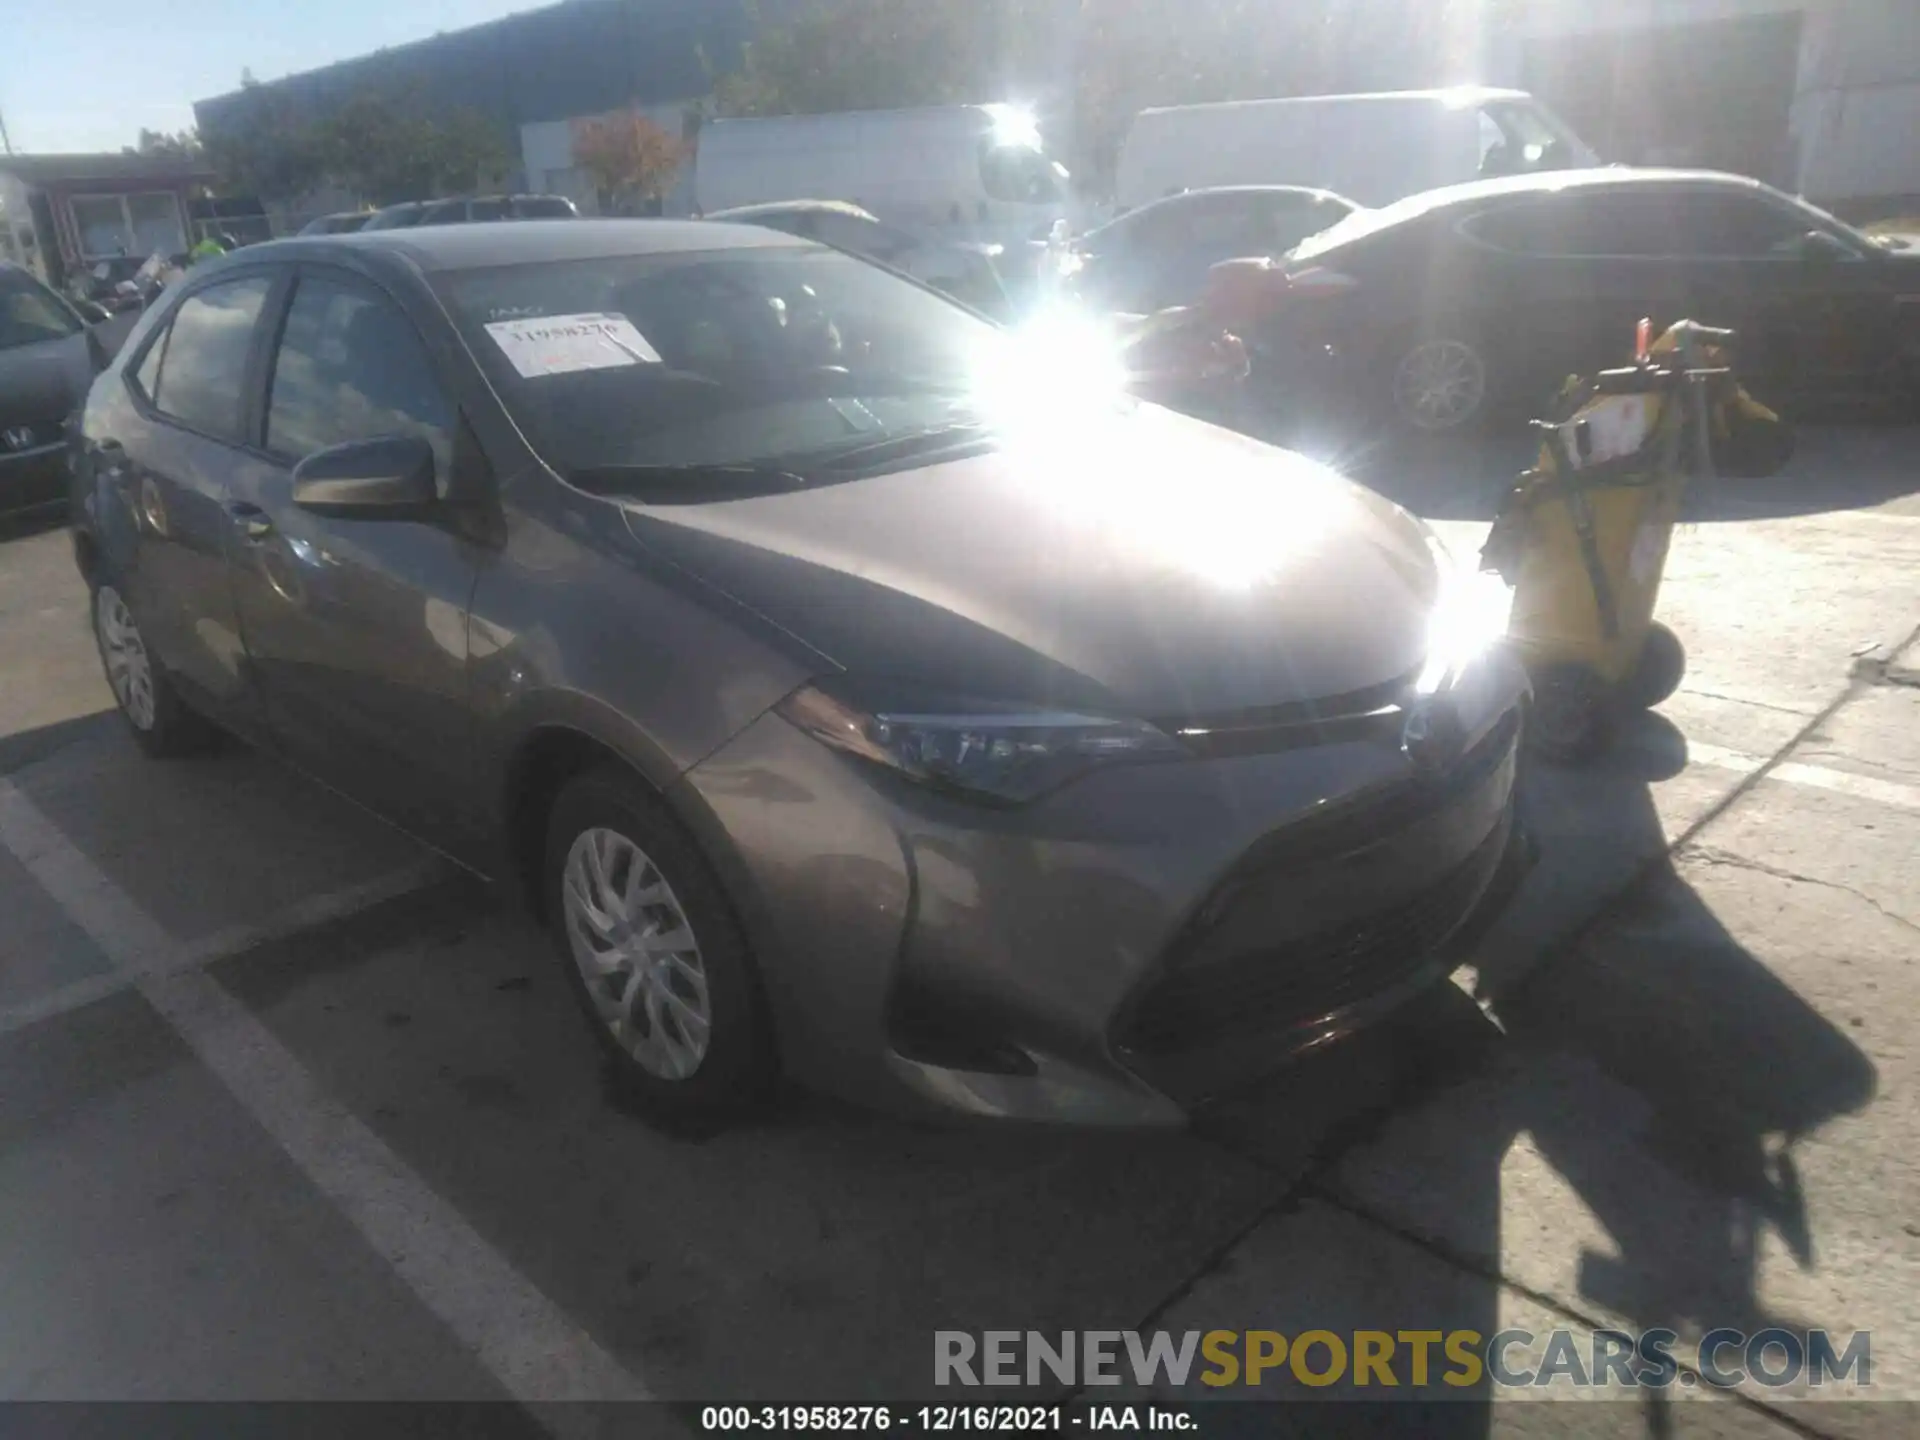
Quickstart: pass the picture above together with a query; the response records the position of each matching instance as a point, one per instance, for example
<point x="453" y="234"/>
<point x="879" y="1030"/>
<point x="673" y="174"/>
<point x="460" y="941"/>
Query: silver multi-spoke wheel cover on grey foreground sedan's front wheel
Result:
<point x="636" y="953"/>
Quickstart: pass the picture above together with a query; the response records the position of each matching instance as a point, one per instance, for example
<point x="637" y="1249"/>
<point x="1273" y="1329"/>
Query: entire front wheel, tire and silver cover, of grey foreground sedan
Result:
<point x="654" y="953"/>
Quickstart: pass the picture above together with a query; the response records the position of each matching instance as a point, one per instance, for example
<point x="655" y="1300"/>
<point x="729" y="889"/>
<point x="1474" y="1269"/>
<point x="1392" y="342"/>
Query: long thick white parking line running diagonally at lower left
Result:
<point x="516" y="1332"/>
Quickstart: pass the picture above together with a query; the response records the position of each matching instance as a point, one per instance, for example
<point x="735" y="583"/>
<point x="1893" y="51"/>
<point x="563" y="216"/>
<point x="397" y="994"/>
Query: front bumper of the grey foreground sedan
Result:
<point x="1124" y="949"/>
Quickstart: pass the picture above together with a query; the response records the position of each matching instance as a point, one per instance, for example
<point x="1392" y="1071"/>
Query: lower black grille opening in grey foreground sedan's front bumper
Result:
<point x="1314" y="976"/>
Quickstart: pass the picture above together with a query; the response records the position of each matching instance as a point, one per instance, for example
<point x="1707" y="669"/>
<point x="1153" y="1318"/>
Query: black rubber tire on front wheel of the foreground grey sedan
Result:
<point x="736" y="1067"/>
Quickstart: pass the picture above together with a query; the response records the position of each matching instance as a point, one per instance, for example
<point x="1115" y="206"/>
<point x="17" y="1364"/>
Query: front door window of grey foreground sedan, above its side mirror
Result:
<point x="352" y="368"/>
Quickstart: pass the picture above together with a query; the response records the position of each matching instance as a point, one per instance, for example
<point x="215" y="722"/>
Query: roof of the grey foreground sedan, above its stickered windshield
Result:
<point x="519" y="243"/>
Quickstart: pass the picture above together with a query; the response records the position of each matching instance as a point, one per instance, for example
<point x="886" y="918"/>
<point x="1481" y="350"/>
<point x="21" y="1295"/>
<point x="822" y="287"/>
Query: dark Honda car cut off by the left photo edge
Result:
<point x="47" y="362"/>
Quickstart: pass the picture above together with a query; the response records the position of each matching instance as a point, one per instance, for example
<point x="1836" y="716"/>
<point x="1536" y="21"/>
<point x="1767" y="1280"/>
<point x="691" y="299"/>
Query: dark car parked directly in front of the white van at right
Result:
<point x="1161" y="254"/>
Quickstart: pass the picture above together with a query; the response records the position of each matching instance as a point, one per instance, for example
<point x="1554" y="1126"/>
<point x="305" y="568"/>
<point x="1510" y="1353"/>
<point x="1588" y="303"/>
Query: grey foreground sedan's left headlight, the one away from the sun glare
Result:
<point x="988" y="750"/>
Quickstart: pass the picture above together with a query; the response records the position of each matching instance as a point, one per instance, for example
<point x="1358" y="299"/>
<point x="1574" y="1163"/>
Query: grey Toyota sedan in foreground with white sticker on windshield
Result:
<point x="850" y="698"/>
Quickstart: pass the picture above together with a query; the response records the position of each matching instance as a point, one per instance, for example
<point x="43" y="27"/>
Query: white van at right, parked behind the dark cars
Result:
<point x="1372" y="149"/>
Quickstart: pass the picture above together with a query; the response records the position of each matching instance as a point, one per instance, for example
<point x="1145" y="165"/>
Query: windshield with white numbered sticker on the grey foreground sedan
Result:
<point x="742" y="356"/>
